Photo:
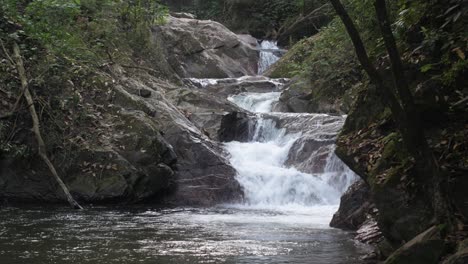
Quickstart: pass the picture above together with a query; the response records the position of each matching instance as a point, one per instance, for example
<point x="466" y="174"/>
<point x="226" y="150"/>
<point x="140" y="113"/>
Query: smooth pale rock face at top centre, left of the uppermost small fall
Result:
<point x="206" y="49"/>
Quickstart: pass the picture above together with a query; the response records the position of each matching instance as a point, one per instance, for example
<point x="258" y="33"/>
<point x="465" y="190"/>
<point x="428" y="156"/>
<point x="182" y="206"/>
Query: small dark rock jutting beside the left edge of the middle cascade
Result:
<point x="236" y="126"/>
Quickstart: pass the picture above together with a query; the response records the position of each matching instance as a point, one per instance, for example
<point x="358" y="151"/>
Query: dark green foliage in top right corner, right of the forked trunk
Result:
<point x="444" y="36"/>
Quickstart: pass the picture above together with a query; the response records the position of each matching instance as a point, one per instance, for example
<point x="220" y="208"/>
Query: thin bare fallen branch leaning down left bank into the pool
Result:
<point x="36" y="127"/>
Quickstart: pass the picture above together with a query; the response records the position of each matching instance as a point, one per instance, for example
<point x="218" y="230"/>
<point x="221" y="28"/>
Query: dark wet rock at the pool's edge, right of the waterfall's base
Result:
<point x="354" y="208"/>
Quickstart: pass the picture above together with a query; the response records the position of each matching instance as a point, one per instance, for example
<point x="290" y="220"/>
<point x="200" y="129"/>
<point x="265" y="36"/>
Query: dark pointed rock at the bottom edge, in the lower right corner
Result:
<point x="426" y="248"/>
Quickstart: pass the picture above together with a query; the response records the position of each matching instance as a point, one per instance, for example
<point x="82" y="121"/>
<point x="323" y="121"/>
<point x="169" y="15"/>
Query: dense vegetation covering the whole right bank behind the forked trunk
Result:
<point x="432" y="39"/>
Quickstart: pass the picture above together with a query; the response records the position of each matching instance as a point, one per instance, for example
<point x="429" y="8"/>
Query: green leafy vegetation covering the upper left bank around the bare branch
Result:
<point x="67" y="44"/>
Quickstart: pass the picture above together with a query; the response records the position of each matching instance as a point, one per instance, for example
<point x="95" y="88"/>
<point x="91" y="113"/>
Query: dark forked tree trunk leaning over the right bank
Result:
<point x="404" y="113"/>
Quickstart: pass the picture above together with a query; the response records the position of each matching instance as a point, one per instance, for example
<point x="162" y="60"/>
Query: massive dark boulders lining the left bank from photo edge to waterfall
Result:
<point x="135" y="145"/>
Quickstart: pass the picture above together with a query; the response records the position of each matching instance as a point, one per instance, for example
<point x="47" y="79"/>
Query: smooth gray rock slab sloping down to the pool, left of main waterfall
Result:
<point x="203" y="175"/>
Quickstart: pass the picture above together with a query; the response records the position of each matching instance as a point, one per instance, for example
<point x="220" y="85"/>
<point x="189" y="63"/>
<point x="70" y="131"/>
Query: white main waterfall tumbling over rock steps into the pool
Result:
<point x="261" y="163"/>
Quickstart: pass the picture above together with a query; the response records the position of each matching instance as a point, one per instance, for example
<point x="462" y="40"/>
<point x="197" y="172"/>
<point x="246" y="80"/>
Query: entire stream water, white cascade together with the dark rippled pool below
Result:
<point x="289" y="201"/>
